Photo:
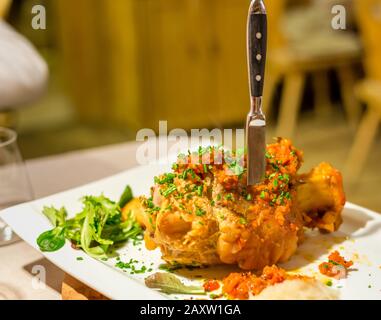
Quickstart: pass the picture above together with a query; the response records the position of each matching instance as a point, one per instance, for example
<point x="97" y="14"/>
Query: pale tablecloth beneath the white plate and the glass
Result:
<point x="48" y="176"/>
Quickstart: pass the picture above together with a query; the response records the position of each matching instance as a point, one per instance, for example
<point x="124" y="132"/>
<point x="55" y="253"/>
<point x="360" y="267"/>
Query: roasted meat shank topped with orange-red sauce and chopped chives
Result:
<point x="203" y="213"/>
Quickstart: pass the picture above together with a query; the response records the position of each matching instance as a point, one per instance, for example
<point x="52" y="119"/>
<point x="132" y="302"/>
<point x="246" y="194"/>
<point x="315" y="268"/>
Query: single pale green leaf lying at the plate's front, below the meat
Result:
<point x="170" y="284"/>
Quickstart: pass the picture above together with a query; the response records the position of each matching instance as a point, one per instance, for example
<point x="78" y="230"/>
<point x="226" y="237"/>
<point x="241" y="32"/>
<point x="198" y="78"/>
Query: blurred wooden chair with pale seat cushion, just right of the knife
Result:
<point x="294" y="60"/>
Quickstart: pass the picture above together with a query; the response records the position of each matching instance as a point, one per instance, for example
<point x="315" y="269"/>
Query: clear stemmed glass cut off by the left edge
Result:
<point x="15" y="186"/>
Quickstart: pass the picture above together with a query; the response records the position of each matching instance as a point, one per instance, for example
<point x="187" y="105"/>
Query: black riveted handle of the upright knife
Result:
<point x="257" y="47"/>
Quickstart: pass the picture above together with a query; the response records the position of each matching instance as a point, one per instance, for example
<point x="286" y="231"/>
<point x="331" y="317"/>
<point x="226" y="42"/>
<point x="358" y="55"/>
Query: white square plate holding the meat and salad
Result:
<point x="359" y="239"/>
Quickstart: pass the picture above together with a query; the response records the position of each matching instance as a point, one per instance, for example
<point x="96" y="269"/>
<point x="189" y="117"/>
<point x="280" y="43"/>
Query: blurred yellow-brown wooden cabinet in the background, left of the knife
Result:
<point x="150" y="60"/>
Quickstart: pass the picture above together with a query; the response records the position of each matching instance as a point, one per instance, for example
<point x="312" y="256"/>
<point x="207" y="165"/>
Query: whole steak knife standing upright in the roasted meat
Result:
<point x="256" y="120"/>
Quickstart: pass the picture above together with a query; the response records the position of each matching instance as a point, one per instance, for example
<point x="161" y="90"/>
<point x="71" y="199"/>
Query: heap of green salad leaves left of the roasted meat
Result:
<point x="95" y="229"/>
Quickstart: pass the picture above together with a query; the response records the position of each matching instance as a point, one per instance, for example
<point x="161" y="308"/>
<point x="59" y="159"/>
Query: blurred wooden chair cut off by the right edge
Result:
<point x="368" y="13"/>
